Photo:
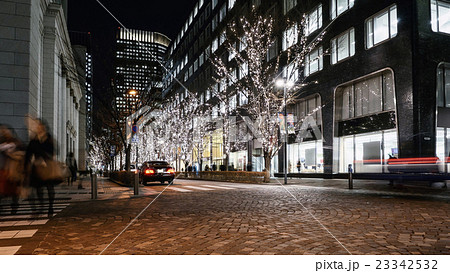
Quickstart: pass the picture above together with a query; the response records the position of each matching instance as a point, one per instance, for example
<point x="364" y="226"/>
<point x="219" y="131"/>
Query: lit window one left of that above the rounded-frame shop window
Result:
<point x="343" y="46"/>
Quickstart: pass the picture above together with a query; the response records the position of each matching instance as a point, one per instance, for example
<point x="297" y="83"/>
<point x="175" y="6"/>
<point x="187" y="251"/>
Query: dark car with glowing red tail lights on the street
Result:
<point x="154" y="171"/>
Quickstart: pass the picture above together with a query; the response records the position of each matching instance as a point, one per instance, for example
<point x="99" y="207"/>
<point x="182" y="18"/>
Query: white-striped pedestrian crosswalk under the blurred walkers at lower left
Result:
<point x="22" y="223"/>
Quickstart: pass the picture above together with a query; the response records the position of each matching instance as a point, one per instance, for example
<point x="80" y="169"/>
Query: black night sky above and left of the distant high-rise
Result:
<point x="165" y="16"/>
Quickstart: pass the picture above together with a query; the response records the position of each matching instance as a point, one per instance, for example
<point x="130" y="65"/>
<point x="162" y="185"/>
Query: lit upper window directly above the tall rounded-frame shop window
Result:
<point x="381" y="27"/>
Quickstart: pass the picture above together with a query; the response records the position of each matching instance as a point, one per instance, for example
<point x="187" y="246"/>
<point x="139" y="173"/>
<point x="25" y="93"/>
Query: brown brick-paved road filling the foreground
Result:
<point x="250" y="219"/>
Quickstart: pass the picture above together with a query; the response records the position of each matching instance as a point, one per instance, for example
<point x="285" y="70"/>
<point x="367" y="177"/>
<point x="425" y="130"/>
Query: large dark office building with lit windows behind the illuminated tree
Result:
<point x="382" y="89"/>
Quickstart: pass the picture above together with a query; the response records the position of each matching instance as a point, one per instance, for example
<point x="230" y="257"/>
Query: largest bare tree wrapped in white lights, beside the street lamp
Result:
<point x="251" y="73"/>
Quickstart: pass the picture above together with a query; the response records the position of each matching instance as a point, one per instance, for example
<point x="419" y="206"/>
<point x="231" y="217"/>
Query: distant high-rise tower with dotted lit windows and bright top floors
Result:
<point x="139" y="63"/>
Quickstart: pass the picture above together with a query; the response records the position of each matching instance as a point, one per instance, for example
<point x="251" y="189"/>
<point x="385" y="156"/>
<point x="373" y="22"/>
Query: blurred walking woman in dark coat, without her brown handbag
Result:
<point x="40" y="150"/>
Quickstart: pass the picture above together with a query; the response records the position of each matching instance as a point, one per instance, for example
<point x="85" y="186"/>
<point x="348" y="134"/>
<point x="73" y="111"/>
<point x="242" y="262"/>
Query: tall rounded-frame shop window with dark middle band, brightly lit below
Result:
<point x="365" y="124"/>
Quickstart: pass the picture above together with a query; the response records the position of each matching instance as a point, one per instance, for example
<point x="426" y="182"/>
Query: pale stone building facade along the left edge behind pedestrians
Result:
<point x="38" y="74"/>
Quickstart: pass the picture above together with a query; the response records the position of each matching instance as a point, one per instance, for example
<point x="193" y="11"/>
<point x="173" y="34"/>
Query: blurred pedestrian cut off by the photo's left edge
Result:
<point x="11" y="166"/>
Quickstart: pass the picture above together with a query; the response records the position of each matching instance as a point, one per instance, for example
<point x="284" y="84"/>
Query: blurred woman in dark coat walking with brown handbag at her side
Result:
<point x="39" y="160"/>
